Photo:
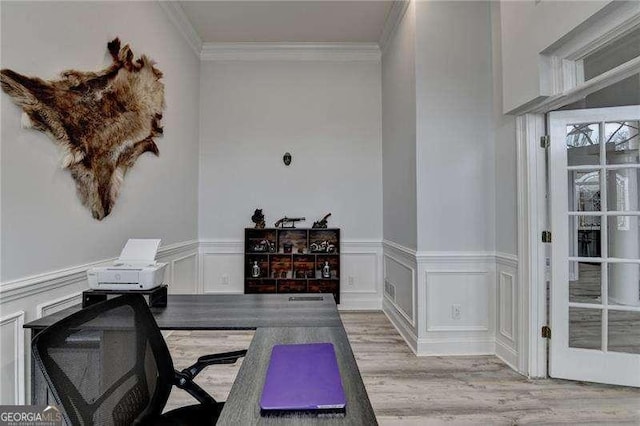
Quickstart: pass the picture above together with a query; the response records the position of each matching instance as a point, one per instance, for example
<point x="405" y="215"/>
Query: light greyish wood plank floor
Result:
<point x="405" y="389"/>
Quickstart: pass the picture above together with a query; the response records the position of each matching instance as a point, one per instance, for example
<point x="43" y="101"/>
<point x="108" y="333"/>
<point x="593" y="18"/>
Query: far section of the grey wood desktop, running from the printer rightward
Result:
<point x="232" y="312"/>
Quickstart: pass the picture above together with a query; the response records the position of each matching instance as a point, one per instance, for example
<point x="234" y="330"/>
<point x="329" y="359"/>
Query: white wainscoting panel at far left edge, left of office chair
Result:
<point x="11" y="359"/>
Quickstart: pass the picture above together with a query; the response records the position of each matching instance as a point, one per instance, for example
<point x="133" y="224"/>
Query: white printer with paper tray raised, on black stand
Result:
<point x="135" y="269"/>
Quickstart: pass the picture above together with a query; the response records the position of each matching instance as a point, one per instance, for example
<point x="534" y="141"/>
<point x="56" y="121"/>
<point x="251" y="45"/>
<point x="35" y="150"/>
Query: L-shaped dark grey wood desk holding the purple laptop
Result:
<point x="278" y="318"/>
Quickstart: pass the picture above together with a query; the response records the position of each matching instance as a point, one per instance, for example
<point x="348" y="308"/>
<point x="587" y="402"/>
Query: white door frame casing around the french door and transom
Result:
<point x="558" y="65"/>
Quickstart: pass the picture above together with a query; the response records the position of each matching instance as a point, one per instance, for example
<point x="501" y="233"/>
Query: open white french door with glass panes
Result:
<point x="594" y="169"/>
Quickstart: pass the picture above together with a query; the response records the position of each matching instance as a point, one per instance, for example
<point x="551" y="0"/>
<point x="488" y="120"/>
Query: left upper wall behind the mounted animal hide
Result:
<point x="44" y="225"/>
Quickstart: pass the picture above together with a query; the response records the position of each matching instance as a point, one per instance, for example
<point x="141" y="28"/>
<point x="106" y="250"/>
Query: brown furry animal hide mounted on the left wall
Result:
<point x="102" y="120"/>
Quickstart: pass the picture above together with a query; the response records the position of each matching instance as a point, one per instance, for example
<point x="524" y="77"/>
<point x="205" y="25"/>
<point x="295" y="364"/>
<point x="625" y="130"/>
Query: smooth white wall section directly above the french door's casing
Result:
<point x="528" y="28"/>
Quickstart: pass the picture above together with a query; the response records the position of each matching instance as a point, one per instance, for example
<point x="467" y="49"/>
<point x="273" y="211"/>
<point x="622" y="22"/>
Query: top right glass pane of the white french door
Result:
<point x="622" y="142"/>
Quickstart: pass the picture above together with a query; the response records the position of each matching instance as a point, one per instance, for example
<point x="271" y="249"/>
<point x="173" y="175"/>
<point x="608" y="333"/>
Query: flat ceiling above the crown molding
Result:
<point x="287" y="21"/>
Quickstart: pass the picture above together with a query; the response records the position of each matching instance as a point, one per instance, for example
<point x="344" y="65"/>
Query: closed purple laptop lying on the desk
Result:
<point x="303" y="378"/>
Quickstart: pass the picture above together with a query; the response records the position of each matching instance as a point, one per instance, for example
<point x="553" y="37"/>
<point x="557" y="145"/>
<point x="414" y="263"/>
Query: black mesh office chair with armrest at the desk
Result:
<point x="108" y="364"/>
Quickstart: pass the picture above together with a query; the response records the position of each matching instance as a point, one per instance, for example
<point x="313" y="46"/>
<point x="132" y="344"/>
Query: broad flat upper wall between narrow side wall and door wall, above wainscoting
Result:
<point x="455" y="158"/>
